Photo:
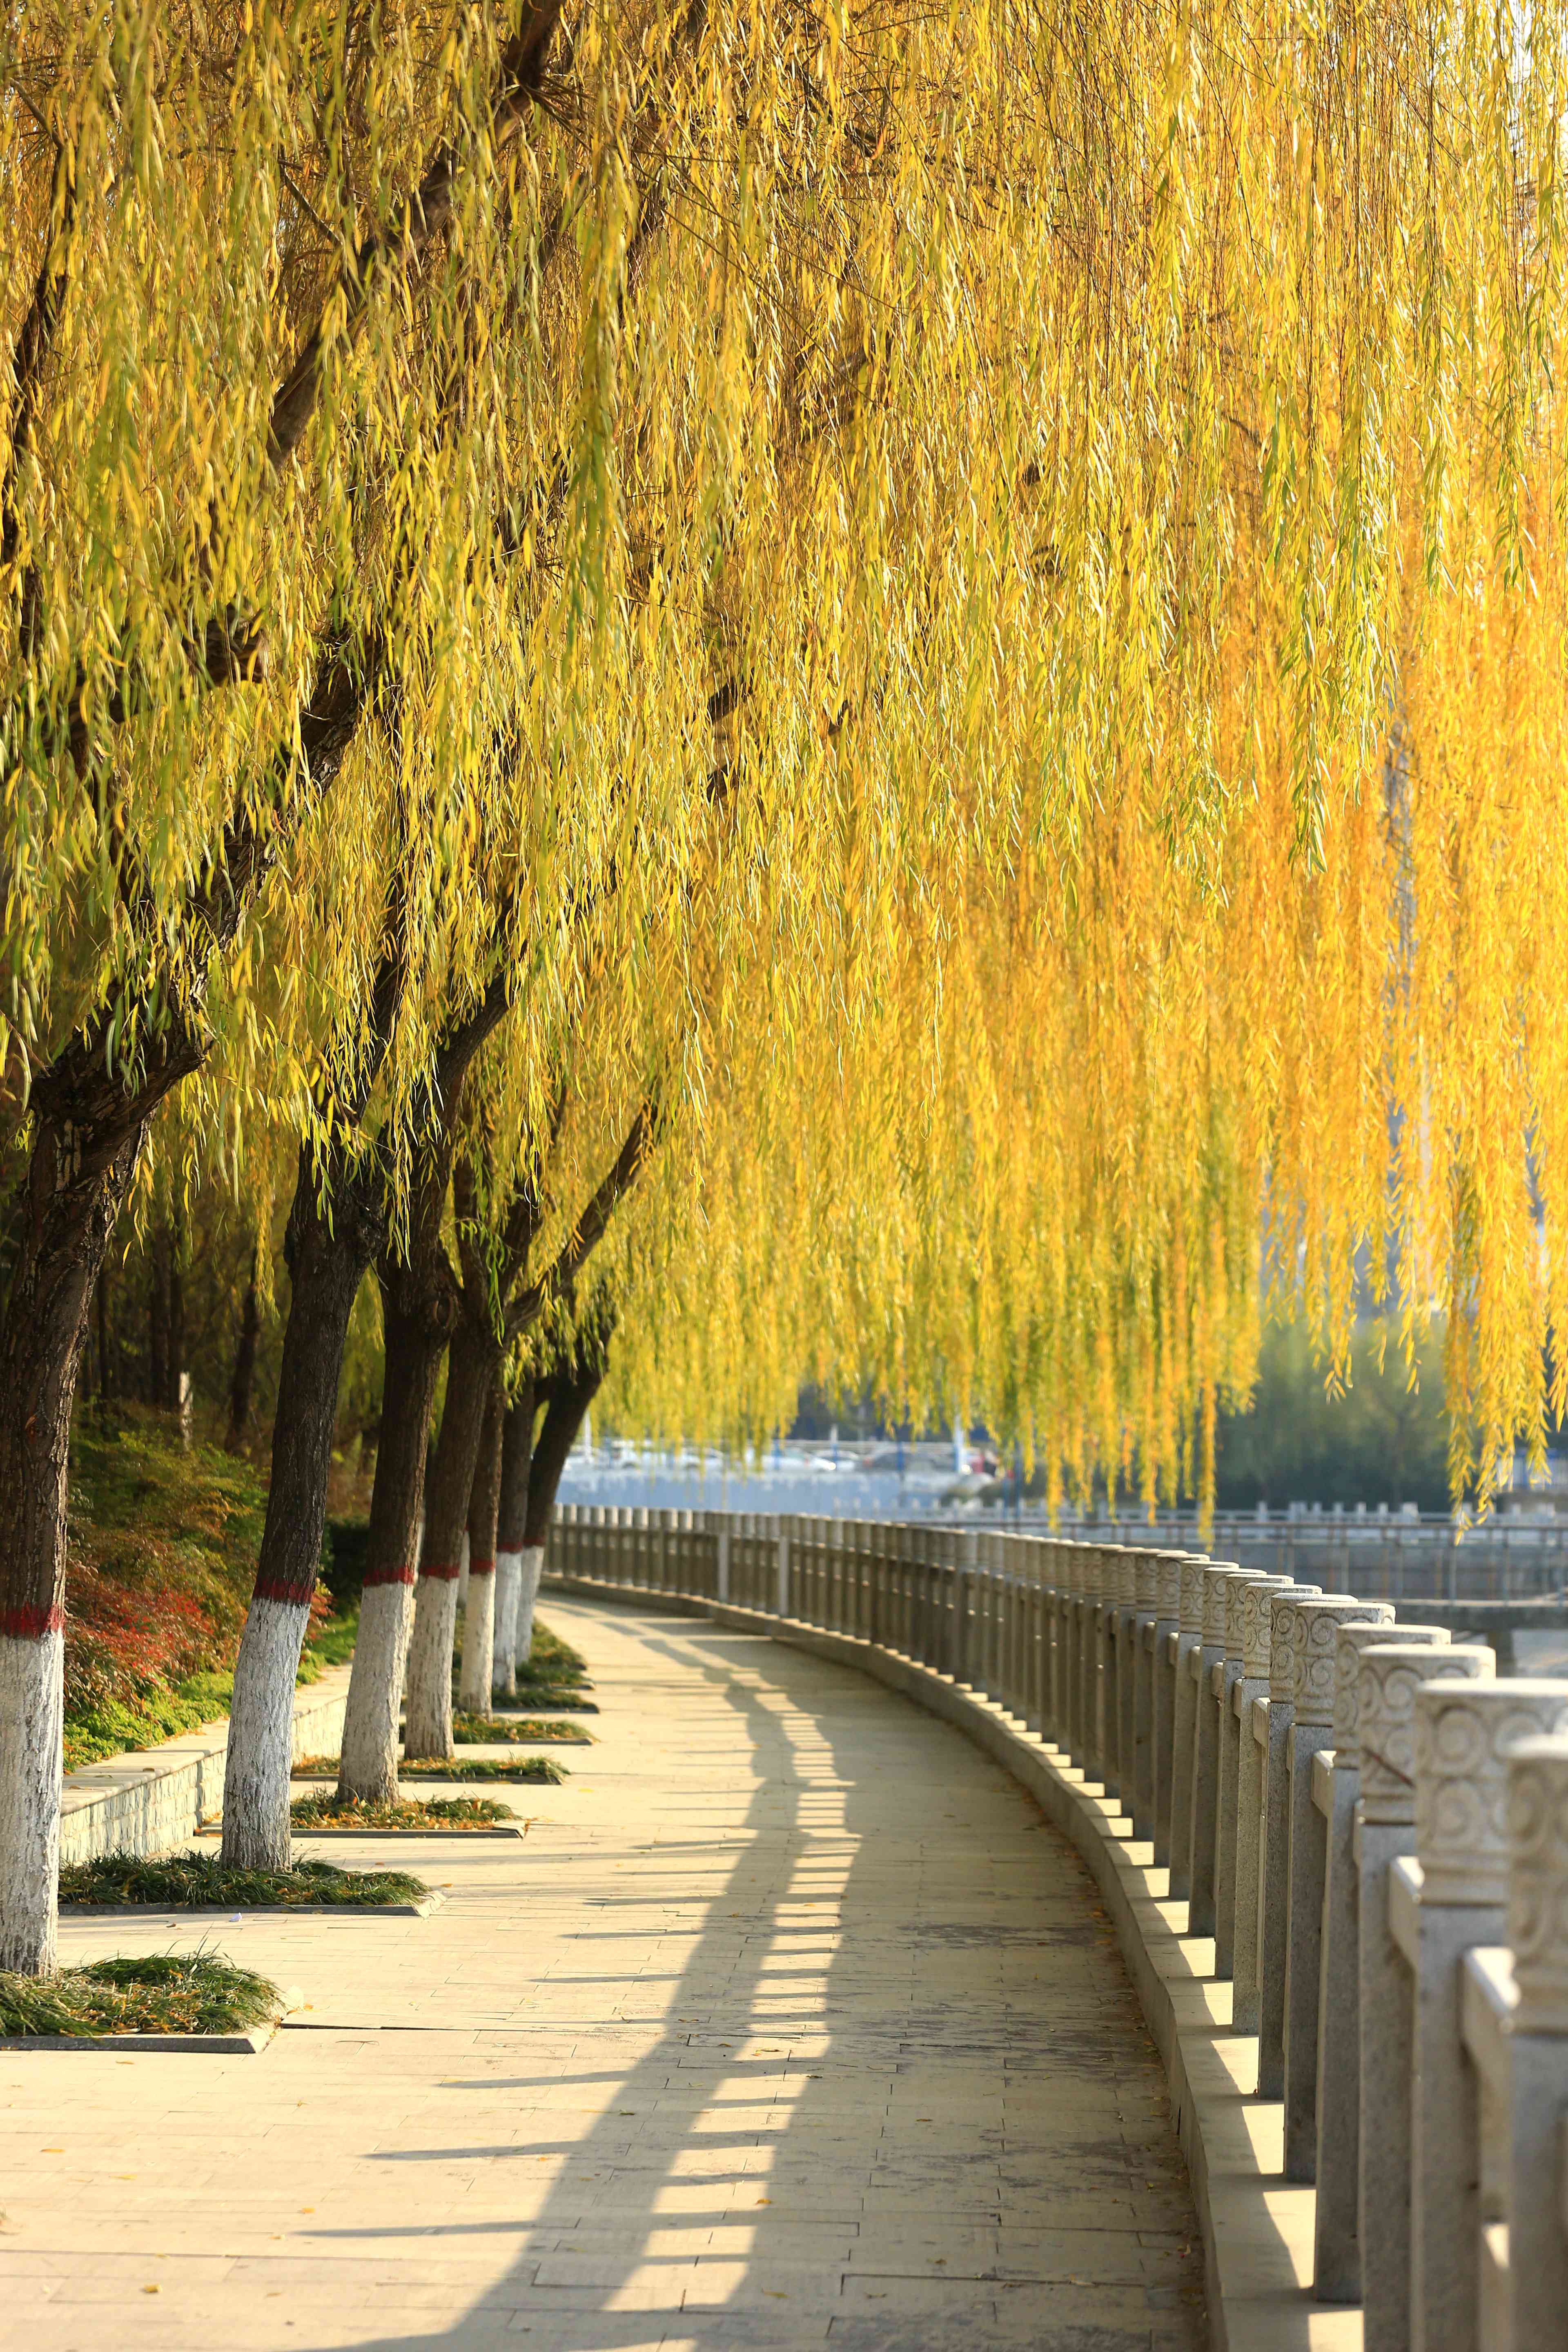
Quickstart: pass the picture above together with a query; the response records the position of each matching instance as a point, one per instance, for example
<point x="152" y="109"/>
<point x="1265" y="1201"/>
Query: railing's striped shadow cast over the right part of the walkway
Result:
<point x="838" y="2137"/>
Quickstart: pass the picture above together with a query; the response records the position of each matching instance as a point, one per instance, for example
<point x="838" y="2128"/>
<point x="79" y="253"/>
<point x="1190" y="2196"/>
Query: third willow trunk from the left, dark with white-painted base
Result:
<point x="417" y="1321"/>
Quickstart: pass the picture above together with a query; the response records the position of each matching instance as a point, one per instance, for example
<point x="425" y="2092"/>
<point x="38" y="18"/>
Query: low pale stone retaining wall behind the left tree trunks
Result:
<point x="156" y="1798"/>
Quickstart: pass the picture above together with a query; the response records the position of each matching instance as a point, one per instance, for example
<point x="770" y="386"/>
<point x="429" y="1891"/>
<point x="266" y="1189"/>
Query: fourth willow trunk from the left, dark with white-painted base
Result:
<point x="436" y="1596"/>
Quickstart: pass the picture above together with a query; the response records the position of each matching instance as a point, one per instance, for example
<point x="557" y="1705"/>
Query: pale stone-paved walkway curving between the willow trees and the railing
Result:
<point x="789" y="2024"/>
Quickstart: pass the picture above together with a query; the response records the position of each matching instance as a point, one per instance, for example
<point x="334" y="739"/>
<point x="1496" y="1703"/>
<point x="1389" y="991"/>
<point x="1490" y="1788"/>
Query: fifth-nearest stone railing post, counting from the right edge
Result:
<point x="1313" y="1645"/>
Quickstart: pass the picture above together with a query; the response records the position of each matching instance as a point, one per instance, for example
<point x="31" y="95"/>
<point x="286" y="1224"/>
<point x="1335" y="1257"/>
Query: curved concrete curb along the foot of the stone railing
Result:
<point x="1259" y="2229"/>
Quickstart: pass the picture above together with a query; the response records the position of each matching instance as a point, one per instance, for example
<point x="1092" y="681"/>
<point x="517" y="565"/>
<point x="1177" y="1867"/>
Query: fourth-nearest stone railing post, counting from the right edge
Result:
<point x="1336" y="2266"/>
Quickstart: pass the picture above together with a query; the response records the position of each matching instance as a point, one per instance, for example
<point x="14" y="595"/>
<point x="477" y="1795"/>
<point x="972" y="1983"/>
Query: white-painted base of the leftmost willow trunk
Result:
<point x="32" y="1730"/>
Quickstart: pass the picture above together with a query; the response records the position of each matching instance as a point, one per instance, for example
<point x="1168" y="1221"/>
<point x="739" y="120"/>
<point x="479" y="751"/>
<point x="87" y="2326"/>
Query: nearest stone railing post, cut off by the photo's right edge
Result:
<point x="1539" y="2106"/>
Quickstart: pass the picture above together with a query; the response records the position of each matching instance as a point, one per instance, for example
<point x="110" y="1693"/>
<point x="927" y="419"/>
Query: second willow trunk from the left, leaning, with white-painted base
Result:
<point x="328" y="1259"/>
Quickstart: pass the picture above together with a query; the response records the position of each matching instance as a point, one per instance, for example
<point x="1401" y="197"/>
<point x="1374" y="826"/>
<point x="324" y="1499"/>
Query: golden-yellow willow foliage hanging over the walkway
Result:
<point x="1083" y="479"/>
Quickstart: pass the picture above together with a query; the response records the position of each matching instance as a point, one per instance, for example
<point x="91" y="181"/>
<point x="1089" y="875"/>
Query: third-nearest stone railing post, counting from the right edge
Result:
<point x="1388" y="1681"/>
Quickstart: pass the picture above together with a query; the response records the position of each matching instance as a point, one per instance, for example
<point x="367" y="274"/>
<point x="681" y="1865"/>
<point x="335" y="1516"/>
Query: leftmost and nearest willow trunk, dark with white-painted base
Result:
<point x="76" y="1187"/>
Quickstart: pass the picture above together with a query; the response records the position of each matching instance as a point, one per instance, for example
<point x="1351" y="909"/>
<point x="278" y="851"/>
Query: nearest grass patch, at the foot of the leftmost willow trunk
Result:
<point x="168" y="1993"/>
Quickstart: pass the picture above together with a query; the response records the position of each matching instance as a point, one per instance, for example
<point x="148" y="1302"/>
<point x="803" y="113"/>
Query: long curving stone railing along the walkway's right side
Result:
<point x="1362" y="1815"/>
